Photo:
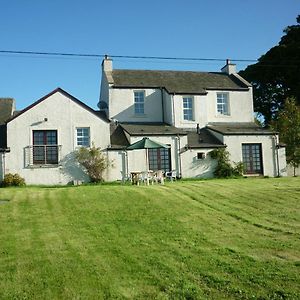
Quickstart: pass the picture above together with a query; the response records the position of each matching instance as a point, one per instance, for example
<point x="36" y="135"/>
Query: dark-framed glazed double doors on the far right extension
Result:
<point x="252" y="158"/>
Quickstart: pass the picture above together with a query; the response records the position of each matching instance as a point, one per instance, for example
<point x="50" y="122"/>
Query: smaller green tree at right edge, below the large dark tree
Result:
<point x="288" y="125"/>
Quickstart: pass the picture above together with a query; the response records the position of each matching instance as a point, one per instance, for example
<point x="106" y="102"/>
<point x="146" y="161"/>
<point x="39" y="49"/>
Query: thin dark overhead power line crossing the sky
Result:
<point x="122" y="56"/>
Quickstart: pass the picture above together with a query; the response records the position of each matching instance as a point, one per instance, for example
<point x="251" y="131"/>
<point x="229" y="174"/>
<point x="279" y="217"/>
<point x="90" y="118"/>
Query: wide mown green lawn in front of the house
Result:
<point x="211" y="239"/>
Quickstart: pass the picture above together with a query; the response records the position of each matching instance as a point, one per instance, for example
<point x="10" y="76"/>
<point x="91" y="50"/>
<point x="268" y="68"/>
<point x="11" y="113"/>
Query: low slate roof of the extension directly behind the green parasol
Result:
<point x="151" y="129"/>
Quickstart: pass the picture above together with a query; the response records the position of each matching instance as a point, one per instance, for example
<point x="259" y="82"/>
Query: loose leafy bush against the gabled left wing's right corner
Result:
<point x="94" y="162"/>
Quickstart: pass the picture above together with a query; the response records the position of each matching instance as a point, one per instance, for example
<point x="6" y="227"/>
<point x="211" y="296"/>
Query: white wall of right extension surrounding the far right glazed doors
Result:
<point x="269" y="156"/>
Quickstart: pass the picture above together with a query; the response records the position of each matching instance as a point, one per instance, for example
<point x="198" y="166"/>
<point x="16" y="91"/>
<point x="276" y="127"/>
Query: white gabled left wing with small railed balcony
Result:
<point x="42" y="138"/>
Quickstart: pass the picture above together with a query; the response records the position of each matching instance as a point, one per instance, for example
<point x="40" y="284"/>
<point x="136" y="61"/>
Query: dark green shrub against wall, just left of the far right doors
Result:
<point x="224" y="169"/>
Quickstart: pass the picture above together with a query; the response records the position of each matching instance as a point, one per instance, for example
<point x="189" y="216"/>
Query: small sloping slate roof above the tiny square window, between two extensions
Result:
<point x="203" y="140"/>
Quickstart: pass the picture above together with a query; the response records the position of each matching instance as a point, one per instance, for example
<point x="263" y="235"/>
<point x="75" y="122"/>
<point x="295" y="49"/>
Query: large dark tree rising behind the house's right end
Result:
<point x="276" y="75"/>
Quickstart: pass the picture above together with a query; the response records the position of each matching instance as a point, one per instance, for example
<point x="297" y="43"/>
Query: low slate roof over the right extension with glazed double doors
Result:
<point x="239" y="129"/>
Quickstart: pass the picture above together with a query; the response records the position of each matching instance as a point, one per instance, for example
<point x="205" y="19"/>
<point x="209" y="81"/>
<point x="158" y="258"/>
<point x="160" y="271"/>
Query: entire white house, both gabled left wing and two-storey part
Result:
<point x="192" y="112"/>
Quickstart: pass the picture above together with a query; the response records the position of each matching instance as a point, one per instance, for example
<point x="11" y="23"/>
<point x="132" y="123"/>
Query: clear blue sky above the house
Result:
<point x="234" y="29"/>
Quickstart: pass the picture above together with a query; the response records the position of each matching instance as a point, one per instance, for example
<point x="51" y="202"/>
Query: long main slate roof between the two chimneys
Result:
<point x="177" y="82"/>
